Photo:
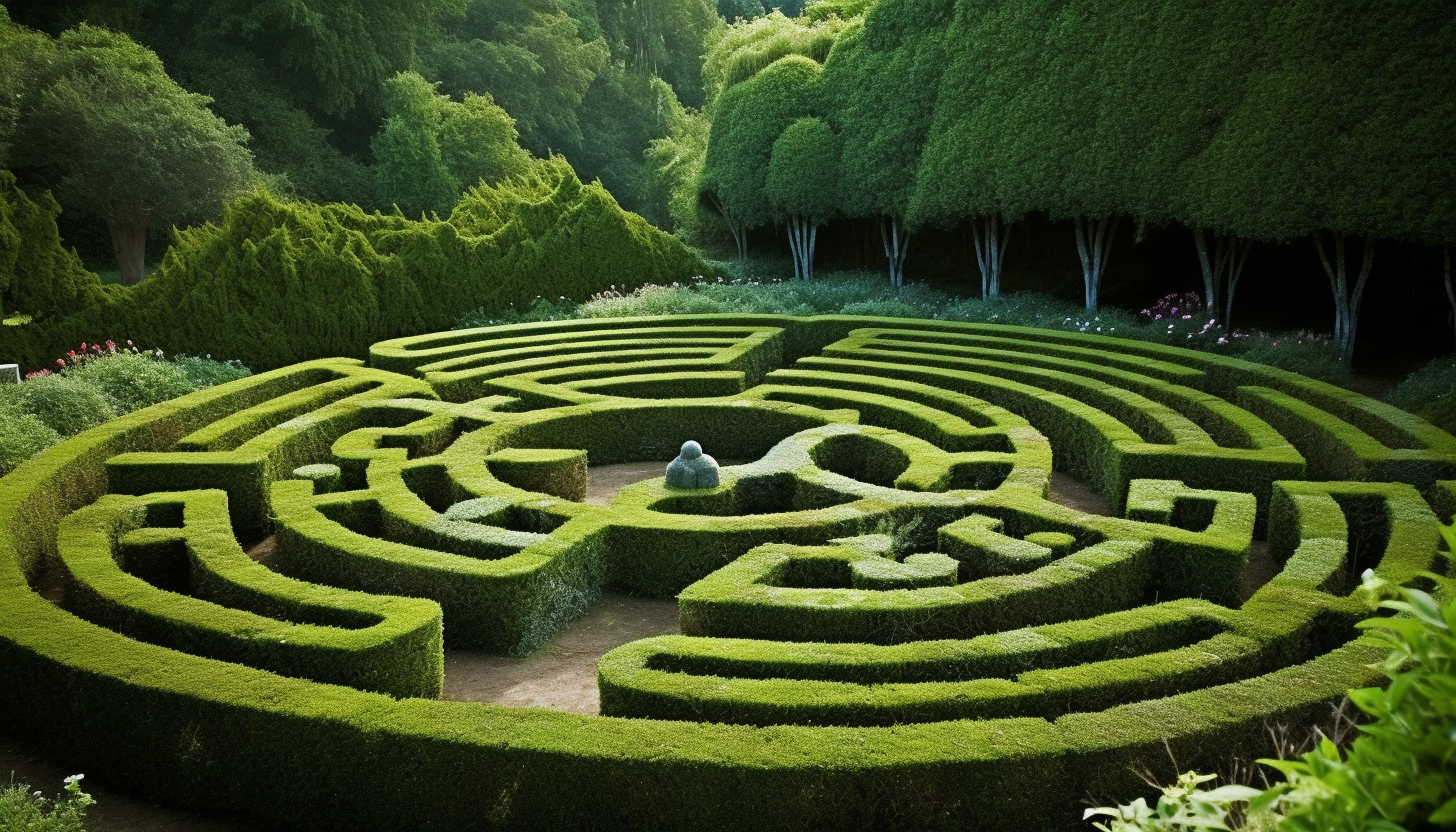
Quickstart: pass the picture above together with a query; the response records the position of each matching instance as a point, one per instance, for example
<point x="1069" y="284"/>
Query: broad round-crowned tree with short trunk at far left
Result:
<point x="129" y="145"/>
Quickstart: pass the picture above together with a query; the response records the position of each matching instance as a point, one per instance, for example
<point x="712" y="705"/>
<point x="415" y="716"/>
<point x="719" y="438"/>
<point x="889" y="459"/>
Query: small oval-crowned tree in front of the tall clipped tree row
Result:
<point x="803" y="180"/>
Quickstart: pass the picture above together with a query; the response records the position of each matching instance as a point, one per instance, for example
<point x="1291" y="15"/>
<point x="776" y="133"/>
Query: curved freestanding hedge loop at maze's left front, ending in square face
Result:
<point x="119" y="556"/>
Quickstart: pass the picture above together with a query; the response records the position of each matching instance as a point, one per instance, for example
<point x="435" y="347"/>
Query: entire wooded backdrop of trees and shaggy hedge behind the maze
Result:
<point x="372" y="155"/>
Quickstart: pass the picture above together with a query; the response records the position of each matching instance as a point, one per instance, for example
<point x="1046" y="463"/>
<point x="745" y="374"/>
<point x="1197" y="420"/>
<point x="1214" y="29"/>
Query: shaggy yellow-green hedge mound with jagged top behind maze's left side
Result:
<point x="277" y="282"/>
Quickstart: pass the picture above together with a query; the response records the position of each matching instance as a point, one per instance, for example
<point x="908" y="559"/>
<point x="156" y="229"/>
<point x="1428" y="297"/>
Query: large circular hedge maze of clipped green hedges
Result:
<point x="886" y="623"/>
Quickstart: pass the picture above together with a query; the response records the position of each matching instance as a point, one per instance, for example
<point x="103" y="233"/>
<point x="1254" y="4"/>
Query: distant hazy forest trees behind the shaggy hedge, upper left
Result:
<point x="315" y="82"/>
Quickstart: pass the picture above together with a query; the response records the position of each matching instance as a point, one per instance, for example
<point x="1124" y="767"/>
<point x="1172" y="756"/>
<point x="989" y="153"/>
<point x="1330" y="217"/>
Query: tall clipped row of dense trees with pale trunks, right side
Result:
<point x="1249" y="120"/>
